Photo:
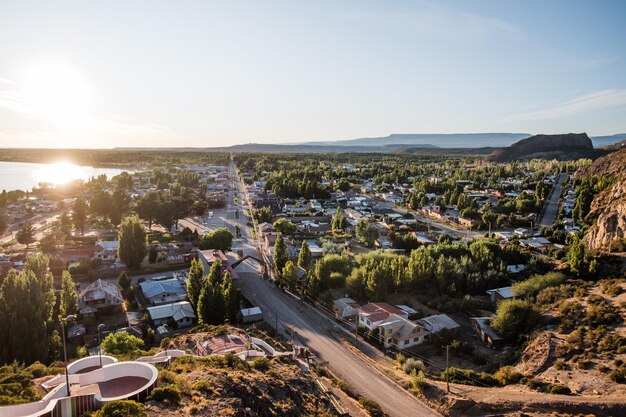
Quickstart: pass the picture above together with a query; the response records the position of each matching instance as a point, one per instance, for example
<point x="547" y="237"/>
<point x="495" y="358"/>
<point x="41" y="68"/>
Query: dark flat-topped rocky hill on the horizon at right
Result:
<point x="562" y="147"/>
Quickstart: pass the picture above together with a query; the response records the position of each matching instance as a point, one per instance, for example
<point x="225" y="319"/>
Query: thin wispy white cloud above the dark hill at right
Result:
<point x="604" y="99"/>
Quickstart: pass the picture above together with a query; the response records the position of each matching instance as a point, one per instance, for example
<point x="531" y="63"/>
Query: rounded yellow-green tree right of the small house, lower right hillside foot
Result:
<point x="515" y="318"/>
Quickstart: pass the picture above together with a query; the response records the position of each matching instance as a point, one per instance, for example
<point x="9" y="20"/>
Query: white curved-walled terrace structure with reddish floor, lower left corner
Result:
<point x="114" y="381"/>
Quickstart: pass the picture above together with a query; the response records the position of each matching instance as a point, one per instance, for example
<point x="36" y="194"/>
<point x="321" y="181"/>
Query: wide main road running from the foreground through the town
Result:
<point x="315" y="332"/>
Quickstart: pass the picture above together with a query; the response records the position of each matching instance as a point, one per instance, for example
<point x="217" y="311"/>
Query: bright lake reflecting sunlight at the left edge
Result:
<point x="25" y="175"/>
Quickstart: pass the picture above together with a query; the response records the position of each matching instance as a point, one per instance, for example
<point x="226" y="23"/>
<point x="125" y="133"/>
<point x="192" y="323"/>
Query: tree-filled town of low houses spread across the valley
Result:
<point x="443" y="271"/>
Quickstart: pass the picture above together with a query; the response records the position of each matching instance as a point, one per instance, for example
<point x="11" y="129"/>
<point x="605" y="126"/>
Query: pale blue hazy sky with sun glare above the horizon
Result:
<point x="85" y="74"/>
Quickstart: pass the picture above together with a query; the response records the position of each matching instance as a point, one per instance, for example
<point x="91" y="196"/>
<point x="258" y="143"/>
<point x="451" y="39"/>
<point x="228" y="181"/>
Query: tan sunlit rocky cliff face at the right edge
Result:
<point x="609" y="207"/>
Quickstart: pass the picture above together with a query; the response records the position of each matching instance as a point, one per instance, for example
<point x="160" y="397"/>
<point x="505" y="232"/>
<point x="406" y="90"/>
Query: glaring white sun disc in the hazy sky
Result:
<point x="56" y="91"/>
